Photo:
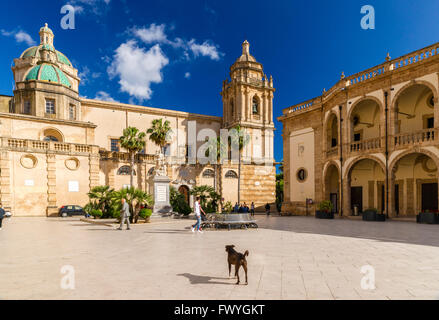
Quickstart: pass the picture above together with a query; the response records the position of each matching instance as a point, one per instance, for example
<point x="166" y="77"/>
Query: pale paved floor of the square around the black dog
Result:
<point x="290" y="258"/>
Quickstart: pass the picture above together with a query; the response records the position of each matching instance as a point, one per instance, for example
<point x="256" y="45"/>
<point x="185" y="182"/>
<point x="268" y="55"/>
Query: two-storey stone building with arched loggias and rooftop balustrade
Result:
<point x="371" y="141"/>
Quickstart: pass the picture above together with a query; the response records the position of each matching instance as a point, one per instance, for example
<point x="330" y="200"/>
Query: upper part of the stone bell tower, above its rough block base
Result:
<point x="248" y="102"/>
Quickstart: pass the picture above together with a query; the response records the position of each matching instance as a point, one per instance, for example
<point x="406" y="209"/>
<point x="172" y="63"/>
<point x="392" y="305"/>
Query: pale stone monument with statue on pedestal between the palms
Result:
<point x="162" y="205"/>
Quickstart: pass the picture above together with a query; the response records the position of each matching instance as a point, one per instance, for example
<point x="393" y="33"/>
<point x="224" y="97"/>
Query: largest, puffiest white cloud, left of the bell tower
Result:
<point x="137" y="68"/>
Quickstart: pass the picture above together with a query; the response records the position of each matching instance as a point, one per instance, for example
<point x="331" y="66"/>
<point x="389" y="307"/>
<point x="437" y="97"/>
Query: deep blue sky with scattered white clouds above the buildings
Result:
<point x="175" y="54"/>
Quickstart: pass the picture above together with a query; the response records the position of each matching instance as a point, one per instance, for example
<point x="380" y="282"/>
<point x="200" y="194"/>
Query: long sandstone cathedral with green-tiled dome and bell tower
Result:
<point x="56" y="145"/>
